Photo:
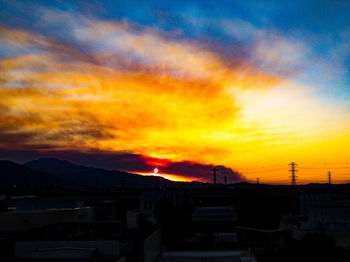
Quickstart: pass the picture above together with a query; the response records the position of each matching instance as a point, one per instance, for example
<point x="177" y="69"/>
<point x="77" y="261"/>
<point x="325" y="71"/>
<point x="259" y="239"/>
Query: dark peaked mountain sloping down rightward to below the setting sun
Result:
<point x="89" y="176"/>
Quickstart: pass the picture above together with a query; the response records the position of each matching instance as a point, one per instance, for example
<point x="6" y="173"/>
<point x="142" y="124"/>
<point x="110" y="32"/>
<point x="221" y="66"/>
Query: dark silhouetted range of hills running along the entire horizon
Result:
<point x="55" y="172"/>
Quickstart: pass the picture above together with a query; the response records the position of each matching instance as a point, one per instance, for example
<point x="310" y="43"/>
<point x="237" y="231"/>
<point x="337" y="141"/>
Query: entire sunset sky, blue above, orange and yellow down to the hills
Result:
<point x="182" y="86"/>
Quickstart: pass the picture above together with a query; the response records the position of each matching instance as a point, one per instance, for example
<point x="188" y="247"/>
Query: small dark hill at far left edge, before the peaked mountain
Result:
<point x="19" y="175"/>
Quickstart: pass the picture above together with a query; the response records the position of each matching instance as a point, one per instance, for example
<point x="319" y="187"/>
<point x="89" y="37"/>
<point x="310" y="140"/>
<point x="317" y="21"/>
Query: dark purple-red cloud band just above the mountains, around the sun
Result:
<point x="128" y="162"/>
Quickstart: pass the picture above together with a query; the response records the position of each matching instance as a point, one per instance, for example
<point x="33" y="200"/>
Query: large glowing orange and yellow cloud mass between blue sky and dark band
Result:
<point x="140" y="90"/>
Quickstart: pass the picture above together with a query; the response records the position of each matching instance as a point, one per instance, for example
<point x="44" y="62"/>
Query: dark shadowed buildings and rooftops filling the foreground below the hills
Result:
<point x="240" y="222"/>
